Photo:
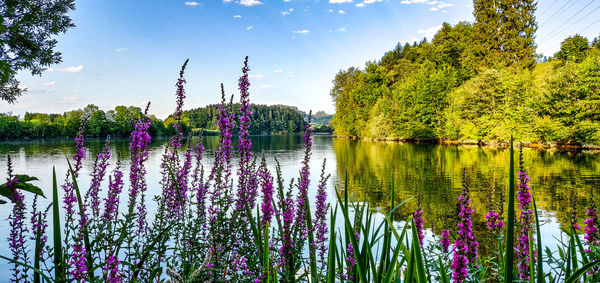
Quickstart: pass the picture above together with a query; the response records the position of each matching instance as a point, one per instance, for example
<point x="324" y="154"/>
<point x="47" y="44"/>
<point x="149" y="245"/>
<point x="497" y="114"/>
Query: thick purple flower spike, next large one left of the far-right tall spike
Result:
<point x="465" y="247"/>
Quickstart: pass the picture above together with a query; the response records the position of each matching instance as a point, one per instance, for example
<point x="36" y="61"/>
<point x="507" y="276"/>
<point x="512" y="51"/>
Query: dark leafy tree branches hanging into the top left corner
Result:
<point x="26" y="30"/>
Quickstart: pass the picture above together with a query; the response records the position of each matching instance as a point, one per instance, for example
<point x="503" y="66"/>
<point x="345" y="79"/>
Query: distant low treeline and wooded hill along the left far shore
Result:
<point x="275" y="119"/>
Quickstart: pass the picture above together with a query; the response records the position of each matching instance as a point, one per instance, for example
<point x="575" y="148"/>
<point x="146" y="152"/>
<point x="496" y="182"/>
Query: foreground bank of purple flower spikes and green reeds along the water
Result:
<point x="210" y="226"/>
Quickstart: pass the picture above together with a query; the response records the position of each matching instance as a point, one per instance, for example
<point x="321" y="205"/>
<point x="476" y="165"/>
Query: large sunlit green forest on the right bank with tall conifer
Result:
<point x="476" y="81"/>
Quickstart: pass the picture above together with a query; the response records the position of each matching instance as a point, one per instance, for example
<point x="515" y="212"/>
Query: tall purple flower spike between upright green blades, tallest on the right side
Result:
<point x="525" y="220"/>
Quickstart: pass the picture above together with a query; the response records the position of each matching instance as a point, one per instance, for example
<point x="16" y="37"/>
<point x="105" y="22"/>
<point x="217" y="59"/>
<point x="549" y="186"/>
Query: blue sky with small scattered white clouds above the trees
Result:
<point x="128" y="52"/>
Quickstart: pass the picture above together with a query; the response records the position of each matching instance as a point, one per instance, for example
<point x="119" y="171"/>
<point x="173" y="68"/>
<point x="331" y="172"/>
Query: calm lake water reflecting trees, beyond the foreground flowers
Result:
<point x="434" y="171"/>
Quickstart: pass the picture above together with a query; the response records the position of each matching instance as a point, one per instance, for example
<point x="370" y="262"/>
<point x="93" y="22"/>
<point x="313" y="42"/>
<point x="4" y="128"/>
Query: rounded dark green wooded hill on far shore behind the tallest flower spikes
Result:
<point x="266" y="119"/>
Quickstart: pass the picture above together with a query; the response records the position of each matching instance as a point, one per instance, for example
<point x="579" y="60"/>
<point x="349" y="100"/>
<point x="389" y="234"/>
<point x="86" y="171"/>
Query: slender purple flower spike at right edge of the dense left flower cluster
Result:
<point x="320" y="224"/>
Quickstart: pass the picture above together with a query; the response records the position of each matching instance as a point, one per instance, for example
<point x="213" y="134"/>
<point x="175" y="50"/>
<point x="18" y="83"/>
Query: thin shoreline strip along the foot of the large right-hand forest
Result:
<point x="489" y="144"/>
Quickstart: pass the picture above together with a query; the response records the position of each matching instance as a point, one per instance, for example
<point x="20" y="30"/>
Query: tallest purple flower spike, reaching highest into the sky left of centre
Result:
<point x="245" y="197"/>
